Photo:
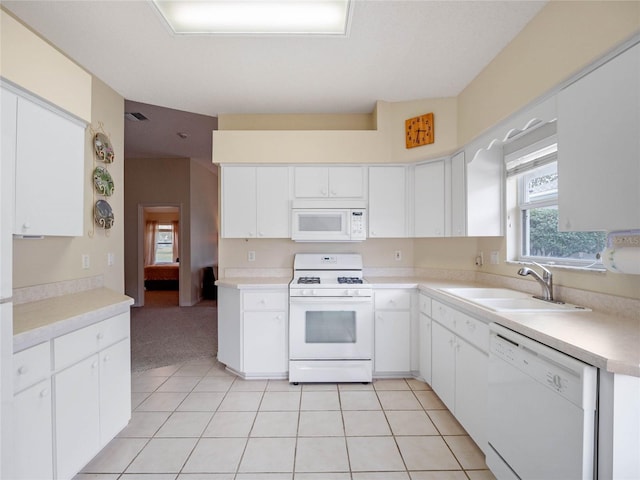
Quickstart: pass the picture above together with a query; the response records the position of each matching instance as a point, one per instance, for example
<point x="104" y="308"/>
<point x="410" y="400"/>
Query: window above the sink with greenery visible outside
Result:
<point x="532" y="177"/>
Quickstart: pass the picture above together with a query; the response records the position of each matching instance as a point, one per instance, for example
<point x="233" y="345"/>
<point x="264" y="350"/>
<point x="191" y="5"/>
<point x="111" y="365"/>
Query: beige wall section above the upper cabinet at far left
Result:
<point x="29" y="61"/>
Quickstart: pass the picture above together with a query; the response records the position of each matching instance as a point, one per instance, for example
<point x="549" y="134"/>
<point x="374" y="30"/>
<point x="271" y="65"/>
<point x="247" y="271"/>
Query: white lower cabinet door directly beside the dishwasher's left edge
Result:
<point x="472" y="367"/>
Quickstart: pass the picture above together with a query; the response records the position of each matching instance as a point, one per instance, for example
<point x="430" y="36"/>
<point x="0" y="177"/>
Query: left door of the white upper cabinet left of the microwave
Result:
<point x="239" y="202"/>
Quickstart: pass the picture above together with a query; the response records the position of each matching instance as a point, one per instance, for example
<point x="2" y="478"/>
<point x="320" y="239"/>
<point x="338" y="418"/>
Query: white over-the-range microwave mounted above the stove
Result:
<point x="328" y="221"/>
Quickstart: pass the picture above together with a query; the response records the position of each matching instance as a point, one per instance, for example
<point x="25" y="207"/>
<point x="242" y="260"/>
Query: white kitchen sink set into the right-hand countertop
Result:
<point x="506" y="300"/>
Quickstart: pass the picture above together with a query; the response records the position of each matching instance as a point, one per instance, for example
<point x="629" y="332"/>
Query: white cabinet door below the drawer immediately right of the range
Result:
<point x="392" y="341"/>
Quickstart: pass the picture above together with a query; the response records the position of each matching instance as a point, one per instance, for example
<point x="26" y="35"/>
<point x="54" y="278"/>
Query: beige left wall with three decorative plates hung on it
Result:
<point x="55" y="259"/>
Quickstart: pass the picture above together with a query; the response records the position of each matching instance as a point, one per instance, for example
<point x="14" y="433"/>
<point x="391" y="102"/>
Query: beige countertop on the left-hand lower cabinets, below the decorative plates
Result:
<point x="42" y="320"/>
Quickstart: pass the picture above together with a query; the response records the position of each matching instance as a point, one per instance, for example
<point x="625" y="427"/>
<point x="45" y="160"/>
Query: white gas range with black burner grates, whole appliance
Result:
<point x="330" y="320"/>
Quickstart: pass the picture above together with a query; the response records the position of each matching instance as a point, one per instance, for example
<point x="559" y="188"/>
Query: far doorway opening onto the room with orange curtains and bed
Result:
<point x="160" y="276"/>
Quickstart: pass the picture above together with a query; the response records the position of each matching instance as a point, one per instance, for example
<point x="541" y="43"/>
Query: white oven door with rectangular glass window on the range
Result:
<point x="330" y="328"/>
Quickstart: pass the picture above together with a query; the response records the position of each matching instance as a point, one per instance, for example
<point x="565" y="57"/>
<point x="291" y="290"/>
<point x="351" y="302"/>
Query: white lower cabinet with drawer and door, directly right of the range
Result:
<point x="392" y="352"/>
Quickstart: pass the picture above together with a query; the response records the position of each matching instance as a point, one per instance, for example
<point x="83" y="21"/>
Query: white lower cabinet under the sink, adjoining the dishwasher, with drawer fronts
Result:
<point x="459" y="369"/>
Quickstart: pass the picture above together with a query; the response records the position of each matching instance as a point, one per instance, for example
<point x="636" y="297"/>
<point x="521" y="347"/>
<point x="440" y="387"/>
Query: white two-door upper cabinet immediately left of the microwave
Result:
<point x="255" y="202"/>
